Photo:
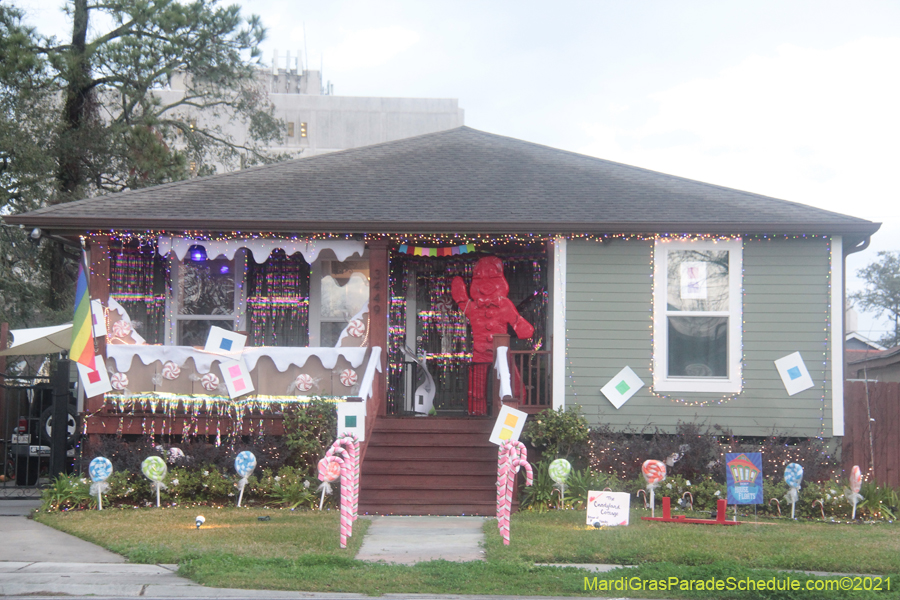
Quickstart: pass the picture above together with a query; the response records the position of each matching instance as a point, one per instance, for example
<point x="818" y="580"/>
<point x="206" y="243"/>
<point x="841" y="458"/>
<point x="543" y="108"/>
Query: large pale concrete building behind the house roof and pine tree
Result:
<point x="317" y="121"/>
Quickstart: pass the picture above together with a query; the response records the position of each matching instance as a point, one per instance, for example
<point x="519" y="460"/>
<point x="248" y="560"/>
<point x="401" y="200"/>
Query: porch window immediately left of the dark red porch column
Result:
<point x="338" y="291"/>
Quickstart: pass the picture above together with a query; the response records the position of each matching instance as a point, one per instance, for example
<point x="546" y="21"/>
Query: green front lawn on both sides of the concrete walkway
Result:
<point x="300" y="551"/>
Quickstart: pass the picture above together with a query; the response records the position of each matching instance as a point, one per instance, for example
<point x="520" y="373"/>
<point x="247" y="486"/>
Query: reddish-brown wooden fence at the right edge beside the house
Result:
<point x="872" y="428"/>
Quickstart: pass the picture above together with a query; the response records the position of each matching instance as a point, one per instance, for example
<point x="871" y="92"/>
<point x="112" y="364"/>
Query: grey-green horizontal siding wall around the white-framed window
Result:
<point x="786" y="309"/>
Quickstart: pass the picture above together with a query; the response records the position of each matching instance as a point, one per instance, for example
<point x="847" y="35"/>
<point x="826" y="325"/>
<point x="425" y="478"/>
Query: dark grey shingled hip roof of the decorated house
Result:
<point x="456" y="181"/>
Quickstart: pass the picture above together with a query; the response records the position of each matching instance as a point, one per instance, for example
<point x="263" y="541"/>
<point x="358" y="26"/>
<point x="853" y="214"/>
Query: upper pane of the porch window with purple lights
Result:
<point x="207" y="287"/>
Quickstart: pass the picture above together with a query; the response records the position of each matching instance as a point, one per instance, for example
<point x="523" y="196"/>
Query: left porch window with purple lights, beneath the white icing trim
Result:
<point x="205" y="293"/>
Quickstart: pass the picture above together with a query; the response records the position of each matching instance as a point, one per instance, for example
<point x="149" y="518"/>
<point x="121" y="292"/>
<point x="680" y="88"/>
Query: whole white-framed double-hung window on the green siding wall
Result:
<point x="697" y="317"/>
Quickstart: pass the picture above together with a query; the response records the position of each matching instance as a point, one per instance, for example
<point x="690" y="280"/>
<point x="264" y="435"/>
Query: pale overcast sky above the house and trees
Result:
<point x="794" y="99"/>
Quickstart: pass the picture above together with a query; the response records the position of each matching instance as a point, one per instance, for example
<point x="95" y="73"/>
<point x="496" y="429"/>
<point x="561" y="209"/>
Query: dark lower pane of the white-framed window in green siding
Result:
<point x="698" y="347"/>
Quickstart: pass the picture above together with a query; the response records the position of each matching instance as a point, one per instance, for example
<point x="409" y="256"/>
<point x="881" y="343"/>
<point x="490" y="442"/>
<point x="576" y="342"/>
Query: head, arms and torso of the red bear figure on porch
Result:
<point x="489" y="310"/>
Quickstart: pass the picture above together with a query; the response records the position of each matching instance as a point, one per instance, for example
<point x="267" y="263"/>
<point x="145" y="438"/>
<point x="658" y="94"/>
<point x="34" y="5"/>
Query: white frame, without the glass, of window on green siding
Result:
<point x="661" y="380"/>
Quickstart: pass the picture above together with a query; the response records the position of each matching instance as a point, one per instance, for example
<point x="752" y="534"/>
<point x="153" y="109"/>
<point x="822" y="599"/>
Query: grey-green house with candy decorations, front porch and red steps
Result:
<point x="340" y="269"/>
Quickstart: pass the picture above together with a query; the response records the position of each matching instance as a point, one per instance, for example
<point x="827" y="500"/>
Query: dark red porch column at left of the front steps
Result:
<point x="379" y="298"/>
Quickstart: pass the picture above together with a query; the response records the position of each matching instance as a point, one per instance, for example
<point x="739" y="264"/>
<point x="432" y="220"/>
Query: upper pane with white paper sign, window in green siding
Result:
<point x="697" y="280"/>
